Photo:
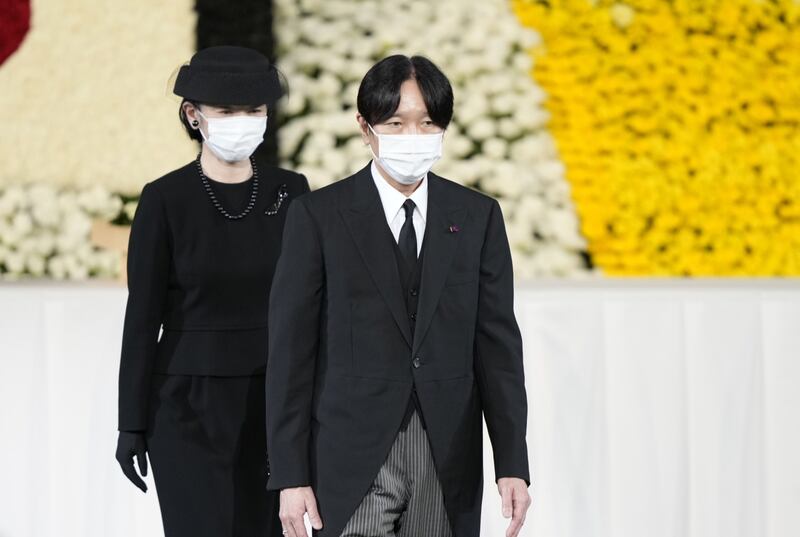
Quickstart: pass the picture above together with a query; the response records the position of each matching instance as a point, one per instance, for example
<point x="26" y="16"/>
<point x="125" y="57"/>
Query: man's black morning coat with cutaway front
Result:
<point x="342" y="362"/>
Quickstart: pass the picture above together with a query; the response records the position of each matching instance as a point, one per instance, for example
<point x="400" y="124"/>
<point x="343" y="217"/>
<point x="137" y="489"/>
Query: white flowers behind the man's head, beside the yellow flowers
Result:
<point x="497" y="142"/>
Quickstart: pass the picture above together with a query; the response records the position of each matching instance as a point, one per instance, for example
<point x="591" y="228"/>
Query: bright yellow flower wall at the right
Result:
<point x="679" y="124"/>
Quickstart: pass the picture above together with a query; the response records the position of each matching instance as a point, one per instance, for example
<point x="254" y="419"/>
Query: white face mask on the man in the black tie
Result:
<point x="408" y="157"/>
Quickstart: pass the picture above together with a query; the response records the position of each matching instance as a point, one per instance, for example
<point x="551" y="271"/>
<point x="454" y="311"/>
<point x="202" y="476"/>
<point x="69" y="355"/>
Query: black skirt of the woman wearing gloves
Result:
<point x="207" y="448"/>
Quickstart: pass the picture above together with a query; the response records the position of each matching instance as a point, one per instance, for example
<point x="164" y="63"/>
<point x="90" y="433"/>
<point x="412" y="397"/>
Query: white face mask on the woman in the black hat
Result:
<point x="234" y="138"/>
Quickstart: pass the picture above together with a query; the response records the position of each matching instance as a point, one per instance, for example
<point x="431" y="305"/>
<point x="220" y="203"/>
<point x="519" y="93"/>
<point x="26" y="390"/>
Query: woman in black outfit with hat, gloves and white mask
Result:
<point x="203" y="247"/>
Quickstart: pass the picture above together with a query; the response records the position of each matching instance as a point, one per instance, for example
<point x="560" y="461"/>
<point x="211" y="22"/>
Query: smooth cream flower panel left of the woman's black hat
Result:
<point x="83" y="100"/>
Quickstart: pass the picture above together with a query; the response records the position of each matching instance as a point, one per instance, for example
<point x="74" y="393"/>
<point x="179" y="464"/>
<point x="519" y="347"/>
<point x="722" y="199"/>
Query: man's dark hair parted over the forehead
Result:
<point x="379" y="92"/>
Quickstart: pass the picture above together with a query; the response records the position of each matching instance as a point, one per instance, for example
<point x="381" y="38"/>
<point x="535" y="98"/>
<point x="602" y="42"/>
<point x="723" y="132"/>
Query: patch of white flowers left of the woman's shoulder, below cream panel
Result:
<point x="45" y="232"/>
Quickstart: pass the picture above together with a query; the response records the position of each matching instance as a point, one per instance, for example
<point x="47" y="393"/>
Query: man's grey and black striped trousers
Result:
<point x="405" y="500"/>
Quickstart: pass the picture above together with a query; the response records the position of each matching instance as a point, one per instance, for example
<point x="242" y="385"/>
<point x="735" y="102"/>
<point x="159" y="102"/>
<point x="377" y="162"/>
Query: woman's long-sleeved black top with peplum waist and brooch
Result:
<point x="203" y="277"/>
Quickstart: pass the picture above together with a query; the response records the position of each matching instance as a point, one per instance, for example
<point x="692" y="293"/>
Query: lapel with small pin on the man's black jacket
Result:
<point x="439" y="251"/>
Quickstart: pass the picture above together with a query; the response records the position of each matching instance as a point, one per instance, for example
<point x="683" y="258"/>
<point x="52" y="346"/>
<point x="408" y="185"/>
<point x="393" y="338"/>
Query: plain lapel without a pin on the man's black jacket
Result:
<point x="366" y="221"/>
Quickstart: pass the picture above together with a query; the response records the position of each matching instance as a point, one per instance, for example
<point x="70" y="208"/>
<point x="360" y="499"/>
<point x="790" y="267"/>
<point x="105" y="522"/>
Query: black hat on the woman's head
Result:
<point x="229" y="75"/>
